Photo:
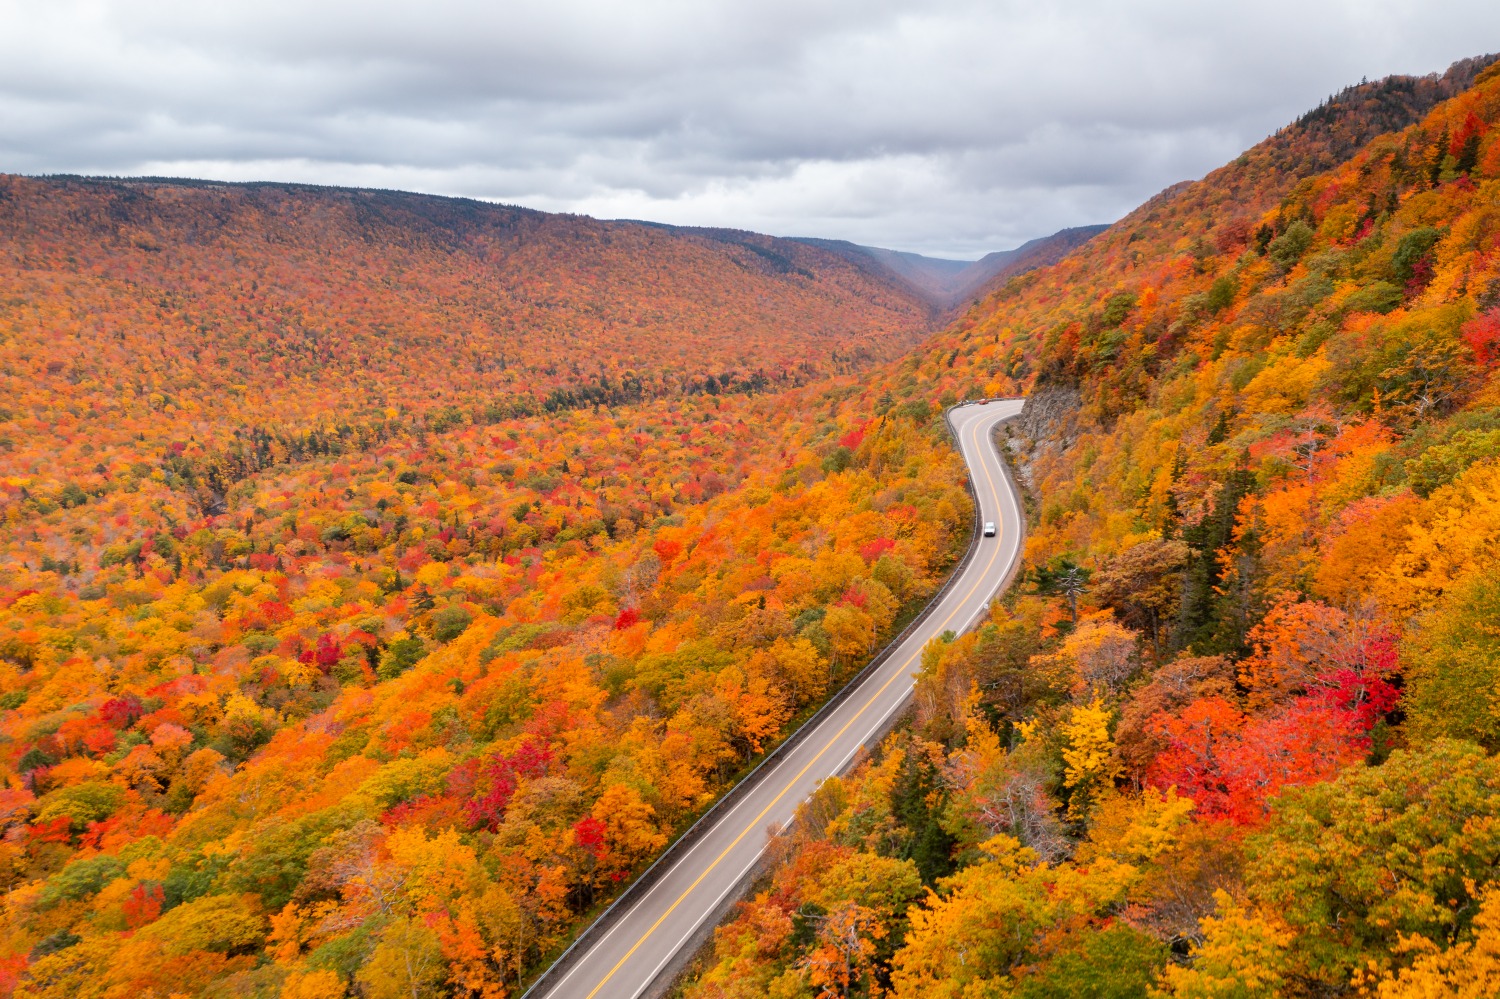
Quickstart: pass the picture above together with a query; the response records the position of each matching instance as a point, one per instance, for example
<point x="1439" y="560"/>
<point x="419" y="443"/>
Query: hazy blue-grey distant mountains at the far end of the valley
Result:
<point x="949" y="284"/>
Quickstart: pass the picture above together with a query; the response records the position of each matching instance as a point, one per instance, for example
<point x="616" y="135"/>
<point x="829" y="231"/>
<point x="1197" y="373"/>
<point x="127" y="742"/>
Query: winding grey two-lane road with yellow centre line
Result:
<point x="629" y="952"/>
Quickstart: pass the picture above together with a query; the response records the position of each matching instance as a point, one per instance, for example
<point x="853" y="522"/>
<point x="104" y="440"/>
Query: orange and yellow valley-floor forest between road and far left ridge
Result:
<point x="533" y="650"/>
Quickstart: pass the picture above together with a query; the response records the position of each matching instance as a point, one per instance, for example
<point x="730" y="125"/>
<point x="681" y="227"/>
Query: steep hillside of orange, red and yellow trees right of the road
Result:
<point x="1235" y="736"/>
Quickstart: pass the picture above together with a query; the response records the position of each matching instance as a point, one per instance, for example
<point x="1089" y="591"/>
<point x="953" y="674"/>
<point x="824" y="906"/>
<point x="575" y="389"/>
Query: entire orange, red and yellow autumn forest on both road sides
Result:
<point x="388" y="580"/>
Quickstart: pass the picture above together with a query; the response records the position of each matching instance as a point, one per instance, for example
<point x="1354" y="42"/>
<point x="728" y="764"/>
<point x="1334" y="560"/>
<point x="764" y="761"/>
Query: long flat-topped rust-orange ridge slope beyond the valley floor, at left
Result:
<point x="151" y="304"/>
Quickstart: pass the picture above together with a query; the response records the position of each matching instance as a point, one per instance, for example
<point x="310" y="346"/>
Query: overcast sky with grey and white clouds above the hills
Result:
<point x="949" y="128"/>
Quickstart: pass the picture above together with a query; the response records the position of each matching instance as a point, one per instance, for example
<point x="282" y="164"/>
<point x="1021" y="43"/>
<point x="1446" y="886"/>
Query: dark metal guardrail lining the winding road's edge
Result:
<point x="647" y="880"/>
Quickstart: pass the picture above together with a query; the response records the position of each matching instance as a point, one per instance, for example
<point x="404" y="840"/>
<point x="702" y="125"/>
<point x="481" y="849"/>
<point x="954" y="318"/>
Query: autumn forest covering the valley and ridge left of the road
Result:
<point x="388" y="578"/>
